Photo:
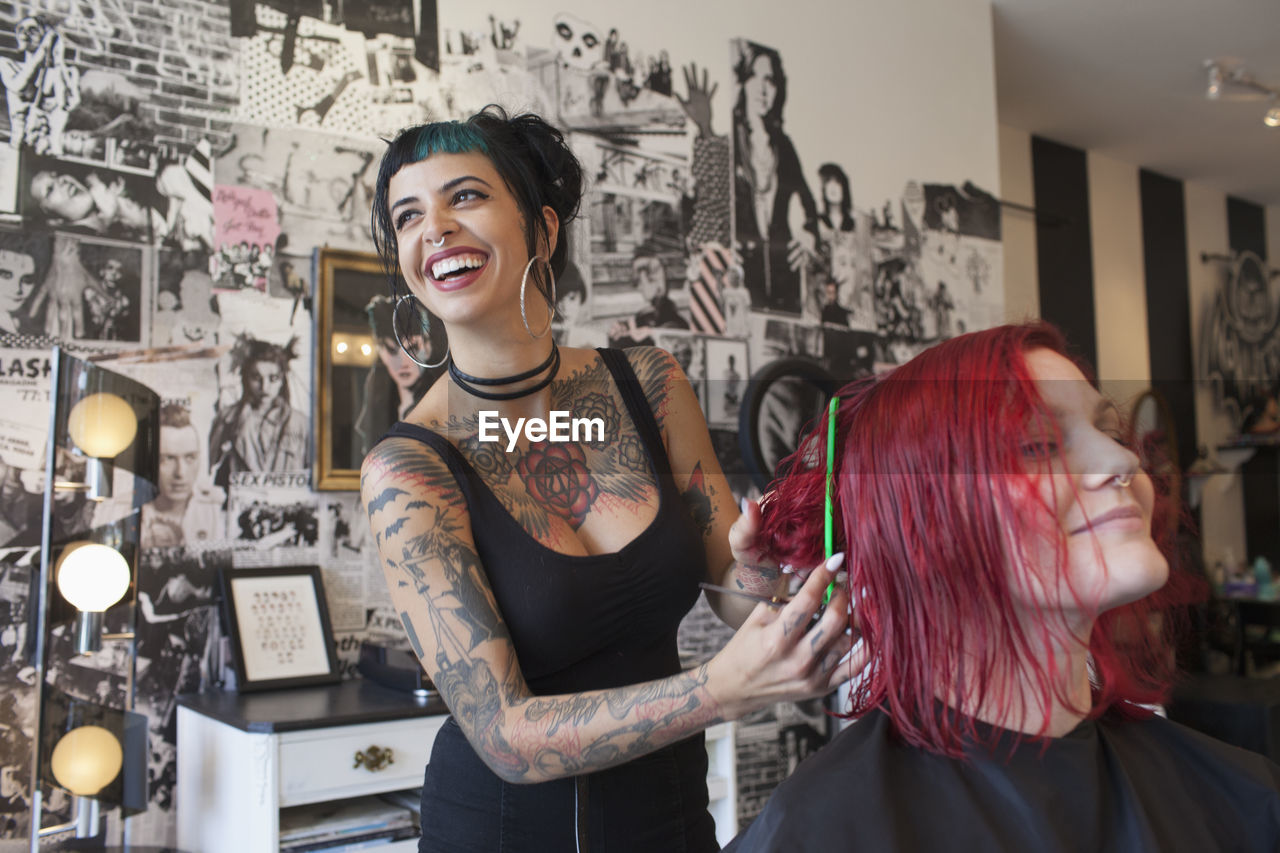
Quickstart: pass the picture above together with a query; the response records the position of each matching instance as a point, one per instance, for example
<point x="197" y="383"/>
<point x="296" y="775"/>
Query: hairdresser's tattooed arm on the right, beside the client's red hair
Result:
<point x="702" y="482"/>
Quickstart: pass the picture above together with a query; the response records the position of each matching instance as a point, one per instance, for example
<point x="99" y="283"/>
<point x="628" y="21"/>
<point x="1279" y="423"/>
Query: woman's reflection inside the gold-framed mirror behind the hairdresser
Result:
<point x="397" y="381"/>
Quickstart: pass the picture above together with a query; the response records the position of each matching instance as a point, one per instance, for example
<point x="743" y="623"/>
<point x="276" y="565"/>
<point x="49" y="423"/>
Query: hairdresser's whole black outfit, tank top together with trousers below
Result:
<point x="579" y="623"/>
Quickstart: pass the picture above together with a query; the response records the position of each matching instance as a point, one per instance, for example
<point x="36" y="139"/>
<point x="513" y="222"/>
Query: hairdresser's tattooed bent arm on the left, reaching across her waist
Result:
<point x="437" y="583"/>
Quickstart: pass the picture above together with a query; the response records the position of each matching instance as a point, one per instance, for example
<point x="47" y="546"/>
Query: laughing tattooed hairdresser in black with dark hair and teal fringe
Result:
<point x="542" y="578"/>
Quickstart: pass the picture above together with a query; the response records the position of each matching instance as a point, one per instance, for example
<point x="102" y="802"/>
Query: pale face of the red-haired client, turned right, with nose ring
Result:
<point x="1112" y="559"/>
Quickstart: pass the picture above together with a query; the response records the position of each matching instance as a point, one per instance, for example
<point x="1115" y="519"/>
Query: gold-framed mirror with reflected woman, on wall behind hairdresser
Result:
<point x="365" y="381"/>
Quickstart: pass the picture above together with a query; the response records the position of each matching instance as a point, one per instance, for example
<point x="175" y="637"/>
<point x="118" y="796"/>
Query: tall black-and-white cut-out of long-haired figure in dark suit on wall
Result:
<point x="767" y="177"/>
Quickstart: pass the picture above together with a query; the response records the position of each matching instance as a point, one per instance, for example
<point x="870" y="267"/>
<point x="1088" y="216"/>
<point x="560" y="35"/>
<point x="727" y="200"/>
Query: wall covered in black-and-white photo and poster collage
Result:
<point x="170" y="171"/>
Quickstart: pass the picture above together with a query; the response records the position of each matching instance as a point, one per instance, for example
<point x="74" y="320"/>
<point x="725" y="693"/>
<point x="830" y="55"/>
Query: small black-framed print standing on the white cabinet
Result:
<point x="280" y="628"/>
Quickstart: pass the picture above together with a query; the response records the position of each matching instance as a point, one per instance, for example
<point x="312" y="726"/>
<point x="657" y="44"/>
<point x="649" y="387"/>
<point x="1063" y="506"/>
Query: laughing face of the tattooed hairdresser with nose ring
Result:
<point x="461" y="203"/>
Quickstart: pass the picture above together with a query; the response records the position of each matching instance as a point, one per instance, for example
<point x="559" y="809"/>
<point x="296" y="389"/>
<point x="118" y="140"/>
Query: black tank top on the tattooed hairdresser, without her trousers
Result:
<point x="583" y="623"/>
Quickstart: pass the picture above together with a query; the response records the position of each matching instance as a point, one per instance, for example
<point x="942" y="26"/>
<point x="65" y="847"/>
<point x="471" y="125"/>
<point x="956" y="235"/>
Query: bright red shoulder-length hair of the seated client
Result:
<point x="931" y="478"/>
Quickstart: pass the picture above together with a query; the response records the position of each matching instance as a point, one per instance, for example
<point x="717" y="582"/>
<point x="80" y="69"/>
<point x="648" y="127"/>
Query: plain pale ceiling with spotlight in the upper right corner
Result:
<point x="1126" y="79"/>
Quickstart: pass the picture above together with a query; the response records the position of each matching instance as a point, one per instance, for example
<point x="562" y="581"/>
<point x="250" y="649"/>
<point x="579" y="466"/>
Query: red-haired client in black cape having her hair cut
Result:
<point x="1014" y="600"/>
